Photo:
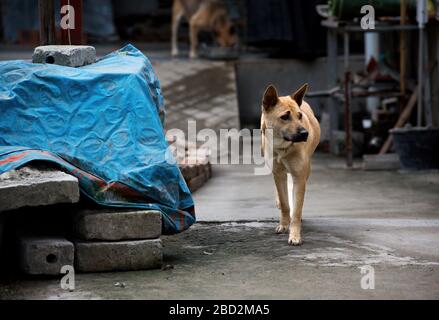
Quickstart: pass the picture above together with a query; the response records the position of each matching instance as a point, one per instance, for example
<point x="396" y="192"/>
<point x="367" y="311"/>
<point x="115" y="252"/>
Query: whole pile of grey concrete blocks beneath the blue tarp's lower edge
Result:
<point x="97" y="240"/>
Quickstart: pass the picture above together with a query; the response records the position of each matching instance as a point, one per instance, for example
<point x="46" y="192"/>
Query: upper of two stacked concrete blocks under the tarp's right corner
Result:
<point x="113" y="225"/>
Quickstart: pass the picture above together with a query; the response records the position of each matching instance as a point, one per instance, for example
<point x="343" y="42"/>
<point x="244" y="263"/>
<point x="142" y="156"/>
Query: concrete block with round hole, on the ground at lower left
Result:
<point x="45" y="256"/>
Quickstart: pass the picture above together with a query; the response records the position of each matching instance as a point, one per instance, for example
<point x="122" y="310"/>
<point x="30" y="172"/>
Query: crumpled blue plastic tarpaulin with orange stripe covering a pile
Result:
<point x="102" y="124"/>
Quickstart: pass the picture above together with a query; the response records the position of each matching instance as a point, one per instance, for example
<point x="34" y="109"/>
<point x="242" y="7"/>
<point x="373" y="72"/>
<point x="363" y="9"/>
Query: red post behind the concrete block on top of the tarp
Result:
<point x="72" y="36"/>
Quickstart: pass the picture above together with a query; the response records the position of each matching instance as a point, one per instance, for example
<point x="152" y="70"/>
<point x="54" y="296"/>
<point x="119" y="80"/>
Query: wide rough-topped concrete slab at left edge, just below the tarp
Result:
<point x="36" y="187"/>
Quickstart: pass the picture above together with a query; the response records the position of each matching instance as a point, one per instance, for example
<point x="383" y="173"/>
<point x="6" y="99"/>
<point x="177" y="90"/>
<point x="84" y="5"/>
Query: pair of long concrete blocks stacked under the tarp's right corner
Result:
<point x="117" y="240"/>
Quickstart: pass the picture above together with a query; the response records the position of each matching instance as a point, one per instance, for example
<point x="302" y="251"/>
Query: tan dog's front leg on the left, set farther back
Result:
<point x="280" y="180"/>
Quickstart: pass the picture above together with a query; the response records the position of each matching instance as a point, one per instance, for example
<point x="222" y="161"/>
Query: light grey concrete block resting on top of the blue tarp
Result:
<point x="70" y="56"/>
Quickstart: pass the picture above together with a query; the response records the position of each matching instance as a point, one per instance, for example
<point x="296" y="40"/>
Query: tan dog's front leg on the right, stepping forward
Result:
<point x="299" y="187"/>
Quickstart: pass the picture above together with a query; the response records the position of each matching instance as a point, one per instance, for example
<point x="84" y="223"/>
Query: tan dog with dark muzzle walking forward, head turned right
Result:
<point x="293" y="137"/>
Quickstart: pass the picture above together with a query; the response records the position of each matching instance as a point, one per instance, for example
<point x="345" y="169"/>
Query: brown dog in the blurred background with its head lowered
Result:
<point x="208" y="15"/>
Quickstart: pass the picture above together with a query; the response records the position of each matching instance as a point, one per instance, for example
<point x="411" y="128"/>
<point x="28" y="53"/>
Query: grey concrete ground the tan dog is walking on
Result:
<point x="388" y="220"/>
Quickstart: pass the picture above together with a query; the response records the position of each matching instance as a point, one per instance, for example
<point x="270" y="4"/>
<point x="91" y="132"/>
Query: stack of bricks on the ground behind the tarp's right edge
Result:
<point x="194" y="164"/>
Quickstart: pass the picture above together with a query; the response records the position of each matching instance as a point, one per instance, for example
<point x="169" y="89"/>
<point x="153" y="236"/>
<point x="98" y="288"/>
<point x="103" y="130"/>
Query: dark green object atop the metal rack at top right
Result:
<point x="350" y="9"/>
